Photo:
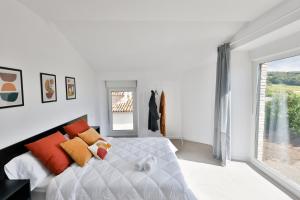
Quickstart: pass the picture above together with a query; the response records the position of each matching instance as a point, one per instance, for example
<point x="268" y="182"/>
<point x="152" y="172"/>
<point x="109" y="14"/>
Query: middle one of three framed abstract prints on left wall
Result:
<point x="48" y="88"/>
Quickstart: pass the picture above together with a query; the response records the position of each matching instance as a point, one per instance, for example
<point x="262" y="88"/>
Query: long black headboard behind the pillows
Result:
<point x="14" y="150"/>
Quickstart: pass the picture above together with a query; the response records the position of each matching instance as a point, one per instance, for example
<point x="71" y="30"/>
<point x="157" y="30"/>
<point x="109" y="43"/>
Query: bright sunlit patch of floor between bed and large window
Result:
<point x="237" y="181"/>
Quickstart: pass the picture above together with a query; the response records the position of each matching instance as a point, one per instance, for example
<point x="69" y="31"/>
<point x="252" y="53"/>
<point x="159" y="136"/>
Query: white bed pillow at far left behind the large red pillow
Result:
<point x="26" y="166"/>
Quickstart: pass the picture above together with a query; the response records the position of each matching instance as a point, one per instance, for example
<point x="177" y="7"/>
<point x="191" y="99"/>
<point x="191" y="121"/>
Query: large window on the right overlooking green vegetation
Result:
<point x="278" y="124"/>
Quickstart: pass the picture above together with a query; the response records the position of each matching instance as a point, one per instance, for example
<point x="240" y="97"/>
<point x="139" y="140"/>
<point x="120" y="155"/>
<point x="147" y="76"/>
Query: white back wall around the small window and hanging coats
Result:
<point x="146" y="81"/>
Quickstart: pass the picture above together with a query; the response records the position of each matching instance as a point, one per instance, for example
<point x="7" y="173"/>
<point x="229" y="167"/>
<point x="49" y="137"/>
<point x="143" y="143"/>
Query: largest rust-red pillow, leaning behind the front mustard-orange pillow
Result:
<point x="48" y="151"/>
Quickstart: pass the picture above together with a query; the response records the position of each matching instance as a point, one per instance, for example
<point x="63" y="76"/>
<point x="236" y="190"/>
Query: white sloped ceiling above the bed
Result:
<point x="154" y="34"/>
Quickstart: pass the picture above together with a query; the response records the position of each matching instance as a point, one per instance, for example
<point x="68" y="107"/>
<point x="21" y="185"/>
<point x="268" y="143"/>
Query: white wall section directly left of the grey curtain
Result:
<point x="198" y="99"/>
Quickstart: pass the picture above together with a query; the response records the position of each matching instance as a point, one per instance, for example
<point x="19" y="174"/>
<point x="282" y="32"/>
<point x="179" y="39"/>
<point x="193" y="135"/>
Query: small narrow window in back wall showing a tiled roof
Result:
<point x="122" y="107"/>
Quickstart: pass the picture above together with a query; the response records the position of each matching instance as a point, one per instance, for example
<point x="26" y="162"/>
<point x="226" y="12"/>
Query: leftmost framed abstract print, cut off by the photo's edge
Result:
<point x="11" y="88"/>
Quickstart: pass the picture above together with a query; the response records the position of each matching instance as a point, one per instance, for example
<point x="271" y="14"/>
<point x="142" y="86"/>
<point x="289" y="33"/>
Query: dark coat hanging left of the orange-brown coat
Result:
<point x="153" y="114"/>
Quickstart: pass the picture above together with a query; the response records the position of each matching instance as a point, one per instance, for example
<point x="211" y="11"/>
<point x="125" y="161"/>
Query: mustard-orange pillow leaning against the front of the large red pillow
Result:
<point x="77" y="150"/>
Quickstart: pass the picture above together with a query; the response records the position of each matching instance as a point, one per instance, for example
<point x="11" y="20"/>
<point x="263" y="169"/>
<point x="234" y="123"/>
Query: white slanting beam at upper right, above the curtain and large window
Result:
<point x="268" y="24"/>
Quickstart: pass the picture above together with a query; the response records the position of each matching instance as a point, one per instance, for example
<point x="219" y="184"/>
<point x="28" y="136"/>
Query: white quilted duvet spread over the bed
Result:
<point x="116" y="178"/>
